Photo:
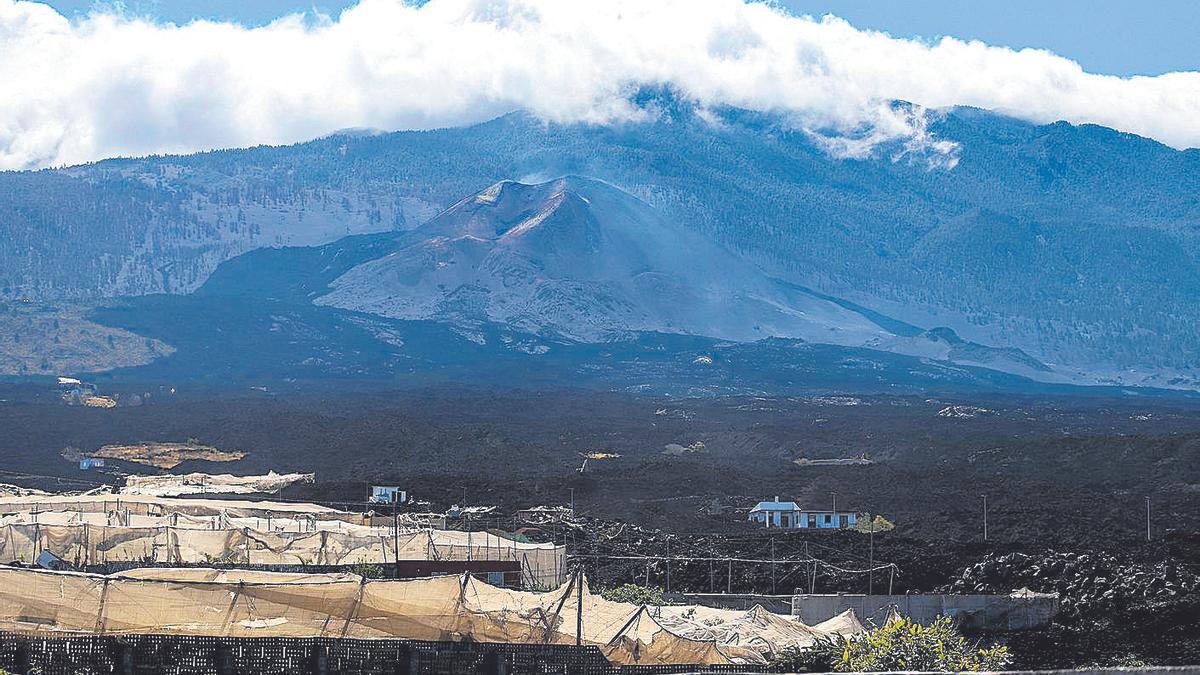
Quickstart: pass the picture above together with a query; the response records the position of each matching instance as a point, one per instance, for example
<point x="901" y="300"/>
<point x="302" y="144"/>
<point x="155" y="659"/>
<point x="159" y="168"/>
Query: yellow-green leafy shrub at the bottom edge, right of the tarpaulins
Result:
<point x="899" y="646"/>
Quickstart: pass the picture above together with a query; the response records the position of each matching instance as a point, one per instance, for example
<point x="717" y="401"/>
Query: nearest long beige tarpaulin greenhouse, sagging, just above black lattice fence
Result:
<point x="207" y="602"/>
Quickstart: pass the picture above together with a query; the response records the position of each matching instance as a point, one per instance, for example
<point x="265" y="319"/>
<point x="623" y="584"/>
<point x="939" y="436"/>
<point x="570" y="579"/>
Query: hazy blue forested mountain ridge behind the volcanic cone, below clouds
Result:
<point x="1088" y="266"/>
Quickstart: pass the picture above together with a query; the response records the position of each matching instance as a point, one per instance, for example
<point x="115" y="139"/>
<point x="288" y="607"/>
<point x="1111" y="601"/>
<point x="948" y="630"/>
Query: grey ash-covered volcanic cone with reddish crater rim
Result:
<point x="583" y="260"/>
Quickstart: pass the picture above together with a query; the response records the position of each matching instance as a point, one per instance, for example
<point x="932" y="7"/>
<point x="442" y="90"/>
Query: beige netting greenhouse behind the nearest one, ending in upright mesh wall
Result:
<point x="97" y="539"/>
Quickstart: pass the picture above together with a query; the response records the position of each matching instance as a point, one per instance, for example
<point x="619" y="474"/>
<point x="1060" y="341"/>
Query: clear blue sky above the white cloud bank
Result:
<point x="1106" y="37"/>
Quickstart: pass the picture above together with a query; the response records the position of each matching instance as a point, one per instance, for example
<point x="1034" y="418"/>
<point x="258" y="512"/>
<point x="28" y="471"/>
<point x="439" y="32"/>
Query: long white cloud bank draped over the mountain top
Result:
<point x="106" y="86"/>
